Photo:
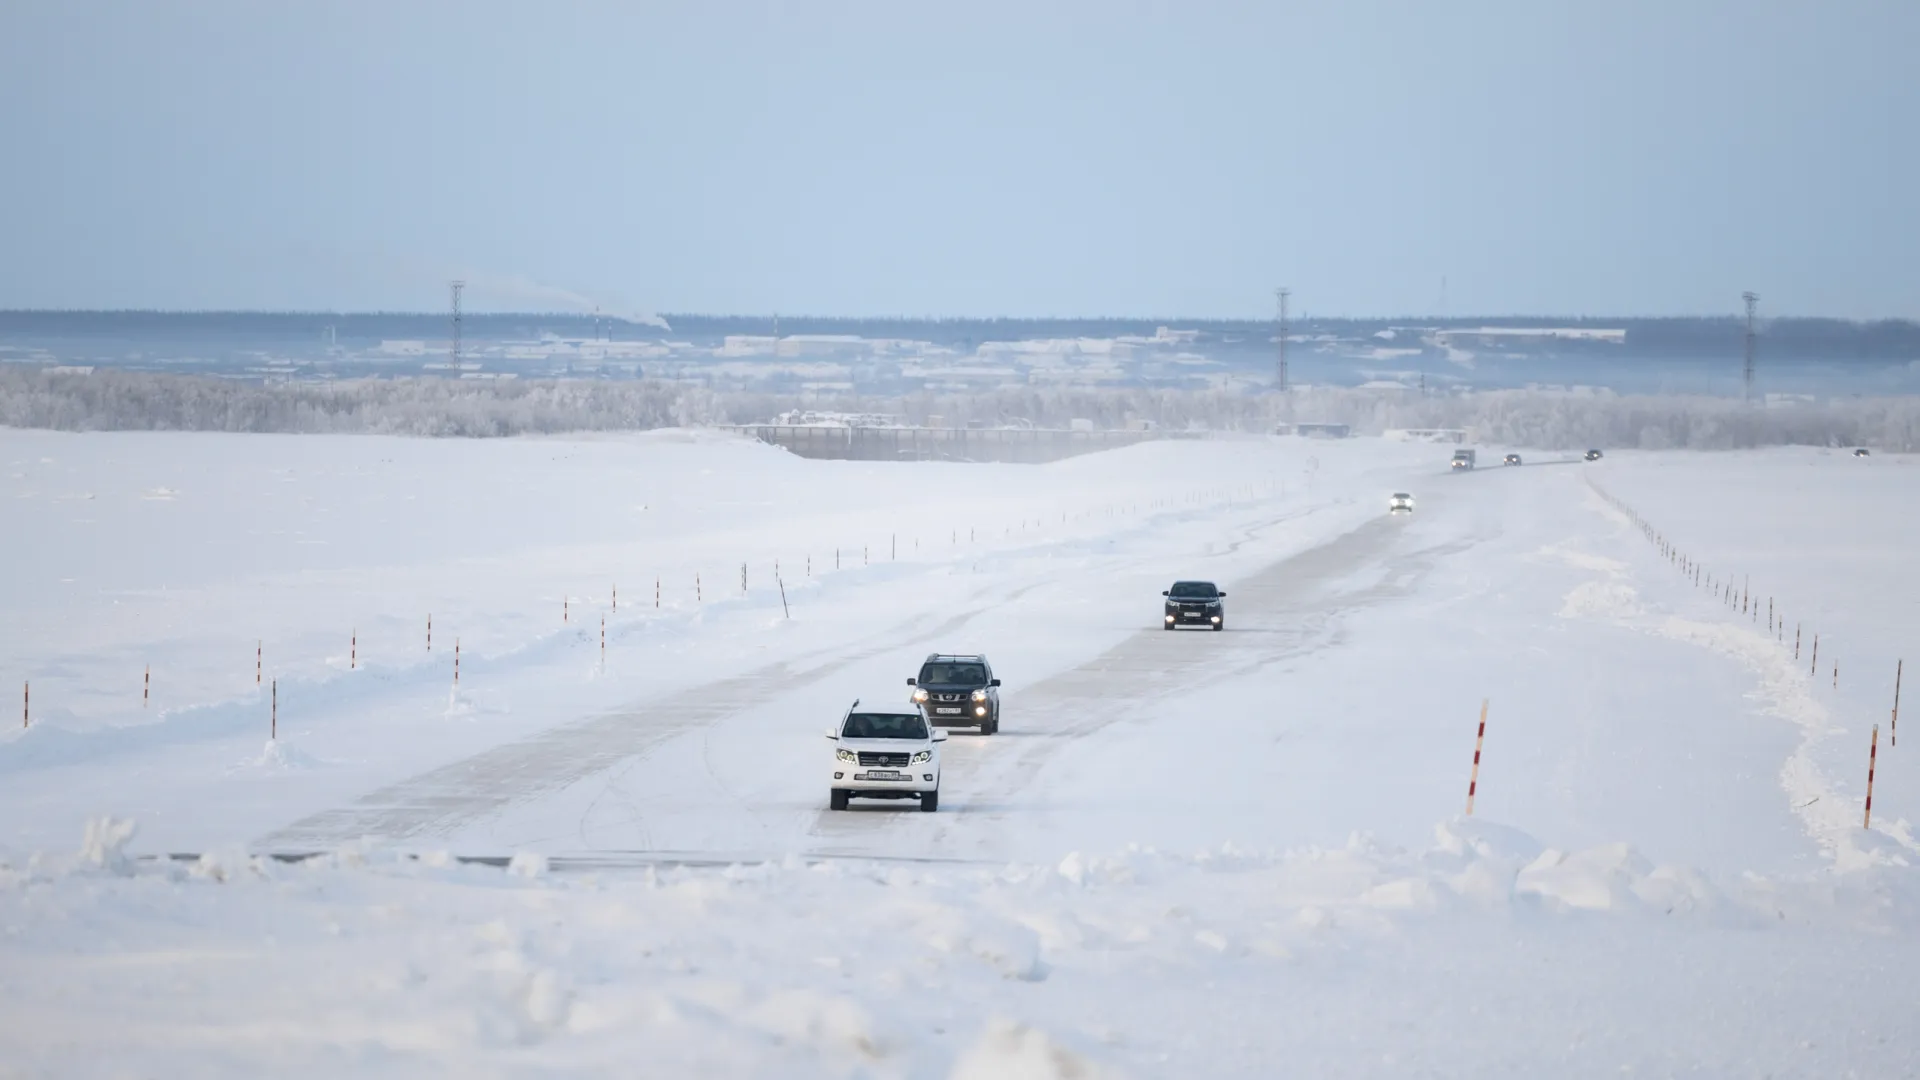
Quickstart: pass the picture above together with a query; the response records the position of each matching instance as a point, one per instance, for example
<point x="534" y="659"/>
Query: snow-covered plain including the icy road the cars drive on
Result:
<point x="1234" y="854"/>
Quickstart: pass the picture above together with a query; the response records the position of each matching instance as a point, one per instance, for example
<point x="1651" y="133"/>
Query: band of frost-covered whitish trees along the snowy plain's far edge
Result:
<point x="448" y="408"/>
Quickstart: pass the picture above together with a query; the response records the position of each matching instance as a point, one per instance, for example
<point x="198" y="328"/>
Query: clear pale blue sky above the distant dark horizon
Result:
<point x="982" y="159"/>
